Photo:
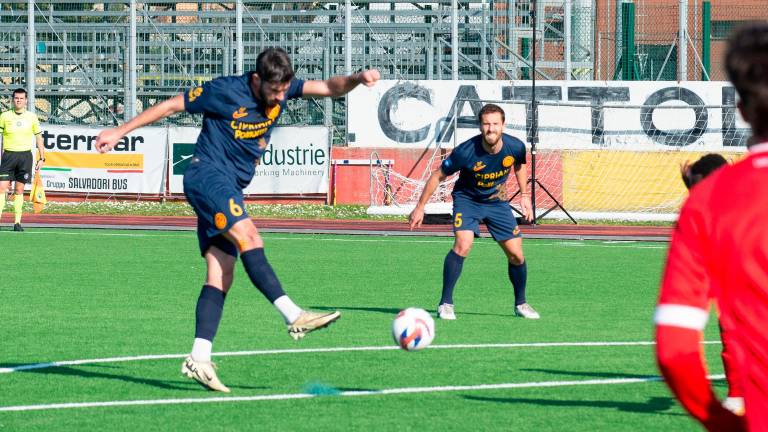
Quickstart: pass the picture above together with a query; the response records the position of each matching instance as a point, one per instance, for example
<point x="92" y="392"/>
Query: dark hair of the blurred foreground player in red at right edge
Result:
<point x="746" y="62"/>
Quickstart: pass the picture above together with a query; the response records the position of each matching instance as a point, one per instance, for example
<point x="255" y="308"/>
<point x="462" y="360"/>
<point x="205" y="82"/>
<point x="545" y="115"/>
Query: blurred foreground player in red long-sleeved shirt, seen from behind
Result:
<point x="719" y="251"/>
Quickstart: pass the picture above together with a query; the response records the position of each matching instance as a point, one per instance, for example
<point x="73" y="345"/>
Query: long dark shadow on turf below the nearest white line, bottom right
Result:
<point x="655" y="405"/>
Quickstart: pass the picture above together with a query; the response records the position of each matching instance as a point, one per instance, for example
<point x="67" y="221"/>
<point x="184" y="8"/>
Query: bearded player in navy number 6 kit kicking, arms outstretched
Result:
<point x="239" y="113"/>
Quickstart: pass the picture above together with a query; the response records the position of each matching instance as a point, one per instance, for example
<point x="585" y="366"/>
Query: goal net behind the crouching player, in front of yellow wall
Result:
<point x="595" y="161"/>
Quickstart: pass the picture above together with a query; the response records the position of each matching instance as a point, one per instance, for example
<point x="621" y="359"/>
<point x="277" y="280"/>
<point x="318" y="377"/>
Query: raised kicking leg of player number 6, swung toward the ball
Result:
<point x="251" y="246"/>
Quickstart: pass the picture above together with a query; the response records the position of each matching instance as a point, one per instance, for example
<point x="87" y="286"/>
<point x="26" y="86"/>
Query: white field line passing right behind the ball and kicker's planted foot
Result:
<point x="32" y="366"/>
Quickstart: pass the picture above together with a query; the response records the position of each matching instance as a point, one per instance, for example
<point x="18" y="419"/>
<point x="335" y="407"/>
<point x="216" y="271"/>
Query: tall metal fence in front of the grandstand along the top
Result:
<point x="98" y="63"/>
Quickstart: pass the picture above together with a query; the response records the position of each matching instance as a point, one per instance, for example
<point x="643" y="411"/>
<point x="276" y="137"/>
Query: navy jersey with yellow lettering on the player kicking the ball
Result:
<point x="234" y="122"/>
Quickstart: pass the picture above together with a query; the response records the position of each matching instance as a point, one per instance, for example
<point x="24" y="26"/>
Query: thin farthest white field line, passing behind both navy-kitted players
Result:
<point x="306" y="237"/>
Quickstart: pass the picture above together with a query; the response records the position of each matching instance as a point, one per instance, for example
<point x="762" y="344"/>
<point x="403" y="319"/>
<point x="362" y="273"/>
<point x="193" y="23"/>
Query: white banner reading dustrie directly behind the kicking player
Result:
<point x="295" y="162"/>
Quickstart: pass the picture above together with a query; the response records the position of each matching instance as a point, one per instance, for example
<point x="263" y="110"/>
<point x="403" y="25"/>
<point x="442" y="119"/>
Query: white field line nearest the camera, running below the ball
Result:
<point x="285" y="396"/>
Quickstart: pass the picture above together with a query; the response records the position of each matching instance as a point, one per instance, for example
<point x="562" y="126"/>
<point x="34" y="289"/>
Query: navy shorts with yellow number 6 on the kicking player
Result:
<point x="218" y="203"/>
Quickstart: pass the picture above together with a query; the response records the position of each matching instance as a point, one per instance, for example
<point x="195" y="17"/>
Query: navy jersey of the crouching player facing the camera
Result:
<point x="483" y="176"/>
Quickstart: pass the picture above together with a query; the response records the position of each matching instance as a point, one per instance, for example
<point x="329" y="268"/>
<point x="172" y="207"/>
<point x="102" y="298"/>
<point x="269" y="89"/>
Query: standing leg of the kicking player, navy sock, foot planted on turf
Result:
<point x="210" y="305"/>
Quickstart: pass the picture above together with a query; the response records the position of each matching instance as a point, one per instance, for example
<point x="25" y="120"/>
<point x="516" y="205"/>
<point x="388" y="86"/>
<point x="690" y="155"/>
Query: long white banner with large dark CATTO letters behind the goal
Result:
<point x="588" y="115"/>
